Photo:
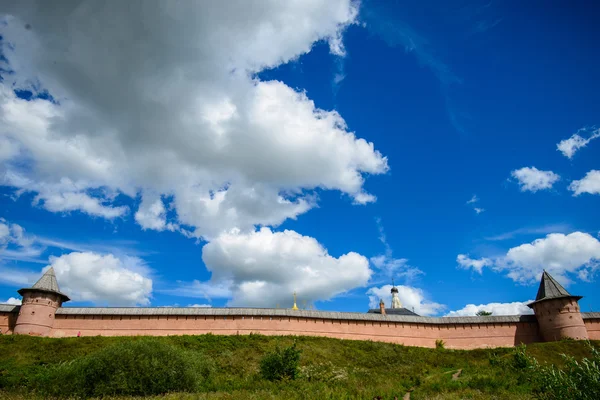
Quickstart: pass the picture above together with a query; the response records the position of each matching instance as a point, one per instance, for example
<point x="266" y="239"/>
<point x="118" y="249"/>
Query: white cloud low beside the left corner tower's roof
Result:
<point x="103" y="278"/>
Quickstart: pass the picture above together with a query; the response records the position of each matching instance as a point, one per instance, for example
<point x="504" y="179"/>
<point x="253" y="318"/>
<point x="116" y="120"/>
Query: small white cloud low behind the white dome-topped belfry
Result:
<point x="412" y="298"/>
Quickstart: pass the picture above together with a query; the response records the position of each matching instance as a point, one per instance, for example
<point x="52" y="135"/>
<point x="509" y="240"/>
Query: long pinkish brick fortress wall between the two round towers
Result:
<point x="455" y="335"/>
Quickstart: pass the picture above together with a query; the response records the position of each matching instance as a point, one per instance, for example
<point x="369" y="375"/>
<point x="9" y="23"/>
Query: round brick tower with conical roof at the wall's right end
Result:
<point x="557" y="312"/>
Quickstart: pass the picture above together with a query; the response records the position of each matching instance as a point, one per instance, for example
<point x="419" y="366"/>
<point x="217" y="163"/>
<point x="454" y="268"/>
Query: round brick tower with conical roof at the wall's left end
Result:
<point x="40" y="302"/>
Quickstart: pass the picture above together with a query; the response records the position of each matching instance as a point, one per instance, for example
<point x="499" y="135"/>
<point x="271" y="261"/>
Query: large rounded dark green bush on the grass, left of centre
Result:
<point x="141" y="367"/>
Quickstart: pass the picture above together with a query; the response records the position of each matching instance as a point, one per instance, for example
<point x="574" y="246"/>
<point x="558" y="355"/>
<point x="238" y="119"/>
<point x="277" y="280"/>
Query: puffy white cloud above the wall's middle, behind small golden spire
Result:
<point x="264" y="268"/>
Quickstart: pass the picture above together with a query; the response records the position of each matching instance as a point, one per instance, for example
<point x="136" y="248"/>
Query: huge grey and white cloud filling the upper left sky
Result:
<point x="175" y="109"/>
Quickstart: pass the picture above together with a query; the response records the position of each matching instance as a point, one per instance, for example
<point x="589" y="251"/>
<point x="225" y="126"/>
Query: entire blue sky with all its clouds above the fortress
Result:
<point x="482" y="116"/>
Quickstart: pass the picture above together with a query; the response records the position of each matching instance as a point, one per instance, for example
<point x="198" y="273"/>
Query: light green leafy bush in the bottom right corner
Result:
<point x="576" y="381"/>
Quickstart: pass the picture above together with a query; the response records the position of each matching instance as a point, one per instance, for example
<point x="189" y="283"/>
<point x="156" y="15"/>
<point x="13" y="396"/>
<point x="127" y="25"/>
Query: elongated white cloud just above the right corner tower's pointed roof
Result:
<point x="575" y="254"/>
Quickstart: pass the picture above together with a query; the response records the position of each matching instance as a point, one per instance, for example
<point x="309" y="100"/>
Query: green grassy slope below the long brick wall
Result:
<point x="330" y="368"/>
